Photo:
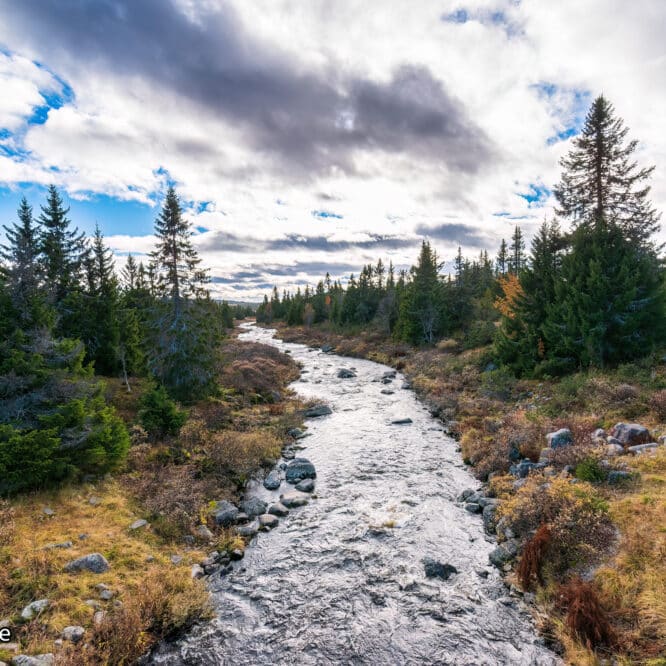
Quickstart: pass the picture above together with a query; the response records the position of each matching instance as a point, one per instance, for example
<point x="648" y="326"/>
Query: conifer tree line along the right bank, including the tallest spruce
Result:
<point x="591" y="296"/>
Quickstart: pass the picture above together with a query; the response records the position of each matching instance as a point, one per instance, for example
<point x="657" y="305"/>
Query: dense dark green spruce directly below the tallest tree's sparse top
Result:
<point x="608" y="305"/>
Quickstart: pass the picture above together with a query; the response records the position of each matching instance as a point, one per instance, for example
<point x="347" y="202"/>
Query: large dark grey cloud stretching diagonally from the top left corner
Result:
<point x="310" y="122"/>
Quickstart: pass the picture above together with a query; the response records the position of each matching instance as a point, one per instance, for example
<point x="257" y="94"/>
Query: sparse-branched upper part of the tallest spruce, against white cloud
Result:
<point x="601" y="179"/>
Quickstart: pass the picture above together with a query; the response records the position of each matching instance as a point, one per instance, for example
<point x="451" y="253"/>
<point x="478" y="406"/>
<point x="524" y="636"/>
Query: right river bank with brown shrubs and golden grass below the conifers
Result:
<point x="500" y="421"/>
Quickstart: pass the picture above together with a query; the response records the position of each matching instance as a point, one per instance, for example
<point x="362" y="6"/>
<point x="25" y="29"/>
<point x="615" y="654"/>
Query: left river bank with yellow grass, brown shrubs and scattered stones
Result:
<point x="150" y="526"/>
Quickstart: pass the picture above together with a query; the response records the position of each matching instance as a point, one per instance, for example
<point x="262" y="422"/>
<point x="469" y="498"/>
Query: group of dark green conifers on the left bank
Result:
<point x="67" y="316"/>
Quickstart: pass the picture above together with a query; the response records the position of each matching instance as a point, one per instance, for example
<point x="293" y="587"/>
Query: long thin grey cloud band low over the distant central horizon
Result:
<point x="225" y="241"/>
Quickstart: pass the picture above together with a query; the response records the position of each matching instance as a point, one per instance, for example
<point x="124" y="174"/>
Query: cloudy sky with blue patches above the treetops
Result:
<point x="306" y="136"/>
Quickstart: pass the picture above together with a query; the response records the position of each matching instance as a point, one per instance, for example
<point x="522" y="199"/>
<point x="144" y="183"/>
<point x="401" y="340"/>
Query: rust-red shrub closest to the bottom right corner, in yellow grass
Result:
<point x="585" y="615"/>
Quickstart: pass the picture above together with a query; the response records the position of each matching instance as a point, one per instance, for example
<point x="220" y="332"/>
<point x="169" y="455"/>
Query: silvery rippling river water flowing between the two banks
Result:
<point x="341" y="580"/>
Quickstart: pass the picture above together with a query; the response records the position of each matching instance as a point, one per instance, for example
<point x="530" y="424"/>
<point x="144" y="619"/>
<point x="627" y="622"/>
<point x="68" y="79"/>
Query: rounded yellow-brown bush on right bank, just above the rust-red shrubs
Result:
<point x="580" y="527"/>
